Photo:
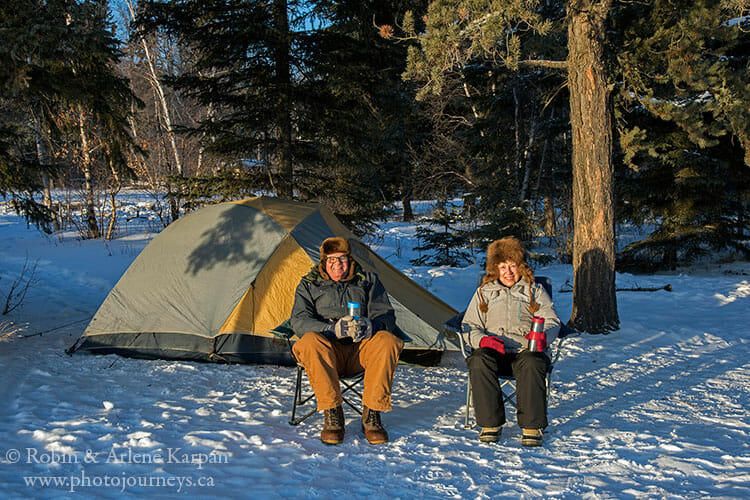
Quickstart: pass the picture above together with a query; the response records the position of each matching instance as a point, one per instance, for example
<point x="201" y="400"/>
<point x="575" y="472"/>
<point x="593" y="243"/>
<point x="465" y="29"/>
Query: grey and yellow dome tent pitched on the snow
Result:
<point x="213" y="286"/>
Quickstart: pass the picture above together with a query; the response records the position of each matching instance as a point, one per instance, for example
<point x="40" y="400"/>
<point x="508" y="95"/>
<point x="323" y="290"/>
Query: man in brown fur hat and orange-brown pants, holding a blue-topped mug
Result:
<point x="333" y="344"/>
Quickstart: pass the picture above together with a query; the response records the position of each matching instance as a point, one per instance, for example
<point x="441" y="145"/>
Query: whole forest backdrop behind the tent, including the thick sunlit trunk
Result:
<point x="554" y="118"/>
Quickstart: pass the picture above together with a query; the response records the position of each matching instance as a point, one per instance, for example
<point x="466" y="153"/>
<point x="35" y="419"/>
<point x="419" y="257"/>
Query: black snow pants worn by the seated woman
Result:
<point x="529" y="370"/>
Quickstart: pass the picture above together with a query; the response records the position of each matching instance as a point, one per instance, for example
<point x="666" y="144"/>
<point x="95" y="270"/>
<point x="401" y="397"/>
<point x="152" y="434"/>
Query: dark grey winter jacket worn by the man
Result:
<point x="319" y="301"/>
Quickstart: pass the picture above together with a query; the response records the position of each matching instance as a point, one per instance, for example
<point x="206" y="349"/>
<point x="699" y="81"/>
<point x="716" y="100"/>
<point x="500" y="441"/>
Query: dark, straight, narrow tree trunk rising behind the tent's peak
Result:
<point x="284" y="120"/>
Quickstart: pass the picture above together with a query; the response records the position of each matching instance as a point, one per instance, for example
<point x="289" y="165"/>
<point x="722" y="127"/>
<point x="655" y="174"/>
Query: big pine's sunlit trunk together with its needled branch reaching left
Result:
<point x="457" y="31"/>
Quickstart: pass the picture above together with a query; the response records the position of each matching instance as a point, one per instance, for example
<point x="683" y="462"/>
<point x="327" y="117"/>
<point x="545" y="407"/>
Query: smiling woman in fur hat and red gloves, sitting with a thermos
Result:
<point x="496" y="323"/>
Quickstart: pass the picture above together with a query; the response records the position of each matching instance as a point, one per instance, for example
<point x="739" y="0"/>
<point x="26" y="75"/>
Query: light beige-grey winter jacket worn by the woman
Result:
<point x="508" y="315"/>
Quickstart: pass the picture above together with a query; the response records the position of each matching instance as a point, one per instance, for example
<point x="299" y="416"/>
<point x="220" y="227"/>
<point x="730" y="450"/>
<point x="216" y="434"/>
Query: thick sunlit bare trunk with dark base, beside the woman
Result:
<point x="594" y="298"/>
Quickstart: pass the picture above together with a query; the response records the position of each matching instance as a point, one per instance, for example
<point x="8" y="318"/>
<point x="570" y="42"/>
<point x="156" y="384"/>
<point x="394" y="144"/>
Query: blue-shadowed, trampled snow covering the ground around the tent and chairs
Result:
<point x="657" y="409"/>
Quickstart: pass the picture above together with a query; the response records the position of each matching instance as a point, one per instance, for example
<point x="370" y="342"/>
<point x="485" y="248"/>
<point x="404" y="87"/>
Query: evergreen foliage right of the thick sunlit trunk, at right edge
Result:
<point x="685" y="130"/>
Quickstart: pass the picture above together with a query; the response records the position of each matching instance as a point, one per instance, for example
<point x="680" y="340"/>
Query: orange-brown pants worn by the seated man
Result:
<point x="326" y="360"/>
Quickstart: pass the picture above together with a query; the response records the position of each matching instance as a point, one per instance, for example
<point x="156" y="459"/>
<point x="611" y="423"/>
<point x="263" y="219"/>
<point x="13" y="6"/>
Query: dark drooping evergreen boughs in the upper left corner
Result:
<point x="60" y="57"/>
